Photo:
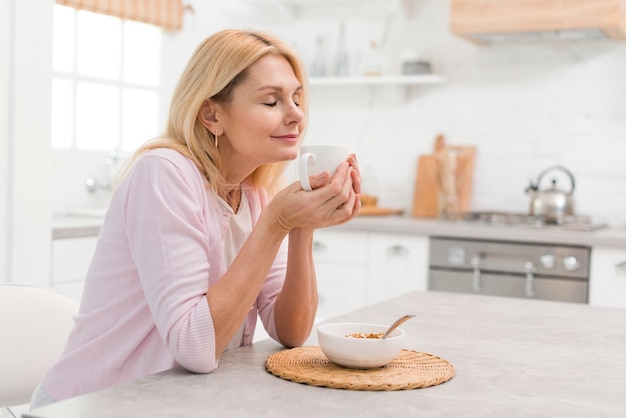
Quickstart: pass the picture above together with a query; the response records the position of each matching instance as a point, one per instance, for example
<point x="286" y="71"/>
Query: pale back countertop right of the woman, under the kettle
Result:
<point x="614" y="236"/>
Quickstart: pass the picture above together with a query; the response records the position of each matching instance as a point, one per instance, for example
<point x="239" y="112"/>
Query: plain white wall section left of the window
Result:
<point x="25" y="141"/>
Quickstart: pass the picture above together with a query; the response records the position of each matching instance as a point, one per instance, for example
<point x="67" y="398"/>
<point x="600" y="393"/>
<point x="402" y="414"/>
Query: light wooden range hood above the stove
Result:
<point x="489" y="21"/>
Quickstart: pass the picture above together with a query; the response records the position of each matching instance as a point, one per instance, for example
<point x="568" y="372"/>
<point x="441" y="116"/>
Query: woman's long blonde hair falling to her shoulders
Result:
<point x="215" y="69"/>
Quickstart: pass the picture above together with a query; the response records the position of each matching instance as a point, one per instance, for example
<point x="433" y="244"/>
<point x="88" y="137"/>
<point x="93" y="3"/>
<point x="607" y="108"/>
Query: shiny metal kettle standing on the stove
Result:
<point x="553" y="204"/>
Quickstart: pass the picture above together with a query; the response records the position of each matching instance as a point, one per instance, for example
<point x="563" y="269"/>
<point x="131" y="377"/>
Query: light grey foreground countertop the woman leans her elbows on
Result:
<point x="513" y="357"/>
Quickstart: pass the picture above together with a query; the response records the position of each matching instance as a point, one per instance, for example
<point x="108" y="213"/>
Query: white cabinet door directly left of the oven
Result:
<point x="397" y="264"/>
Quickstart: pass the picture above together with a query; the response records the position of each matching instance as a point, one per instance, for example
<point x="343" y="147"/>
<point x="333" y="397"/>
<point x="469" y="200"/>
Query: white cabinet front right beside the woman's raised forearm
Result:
<point x="341" y="268"/>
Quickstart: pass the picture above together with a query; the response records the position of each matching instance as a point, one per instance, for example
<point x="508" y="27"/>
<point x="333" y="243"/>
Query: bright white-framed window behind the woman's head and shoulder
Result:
<point x="105" y="82"/>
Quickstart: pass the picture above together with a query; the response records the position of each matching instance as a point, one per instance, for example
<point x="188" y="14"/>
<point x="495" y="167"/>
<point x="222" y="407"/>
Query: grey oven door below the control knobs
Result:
<point x="545" y="288"/>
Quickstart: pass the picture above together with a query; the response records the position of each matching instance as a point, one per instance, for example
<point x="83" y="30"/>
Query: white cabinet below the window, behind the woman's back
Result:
<point x="70" y="260"/>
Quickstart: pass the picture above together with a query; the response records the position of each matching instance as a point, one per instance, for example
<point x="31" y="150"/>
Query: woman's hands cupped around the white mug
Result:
<point x="330" y="203"/>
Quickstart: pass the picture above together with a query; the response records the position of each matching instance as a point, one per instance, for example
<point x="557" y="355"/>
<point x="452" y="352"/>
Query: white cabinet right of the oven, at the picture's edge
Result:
<point x="607" y="282"/>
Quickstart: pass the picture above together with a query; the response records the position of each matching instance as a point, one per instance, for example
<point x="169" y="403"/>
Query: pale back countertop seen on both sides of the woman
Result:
<point x="65" y="226"/>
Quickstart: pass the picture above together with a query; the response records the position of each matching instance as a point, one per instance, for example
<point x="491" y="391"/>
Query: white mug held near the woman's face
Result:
<point x="315" y="159"/>
